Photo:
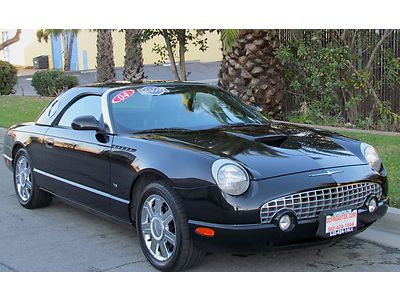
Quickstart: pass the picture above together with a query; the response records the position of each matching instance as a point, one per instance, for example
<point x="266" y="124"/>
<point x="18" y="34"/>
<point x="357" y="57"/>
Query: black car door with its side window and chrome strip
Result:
<point x="77" y="161"/>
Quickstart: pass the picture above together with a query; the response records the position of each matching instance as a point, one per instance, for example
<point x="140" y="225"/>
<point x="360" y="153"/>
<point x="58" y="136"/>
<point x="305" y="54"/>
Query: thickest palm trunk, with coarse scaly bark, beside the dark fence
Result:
<point x="250" y="70"/>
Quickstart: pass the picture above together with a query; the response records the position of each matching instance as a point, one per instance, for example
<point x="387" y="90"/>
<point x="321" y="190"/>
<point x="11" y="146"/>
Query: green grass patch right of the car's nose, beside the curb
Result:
<point x="388" y="148"/>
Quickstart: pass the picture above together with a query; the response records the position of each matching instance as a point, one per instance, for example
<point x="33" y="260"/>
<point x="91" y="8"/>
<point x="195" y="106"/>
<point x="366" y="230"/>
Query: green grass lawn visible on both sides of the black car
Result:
<point x="17" y="109"/>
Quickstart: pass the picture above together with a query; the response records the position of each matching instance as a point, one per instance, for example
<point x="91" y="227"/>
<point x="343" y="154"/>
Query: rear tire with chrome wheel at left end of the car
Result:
<point x="29" y="194"/>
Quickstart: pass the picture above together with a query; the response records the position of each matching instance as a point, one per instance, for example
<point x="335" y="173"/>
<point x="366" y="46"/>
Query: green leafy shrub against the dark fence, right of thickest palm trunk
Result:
<point x="316" y="75"/>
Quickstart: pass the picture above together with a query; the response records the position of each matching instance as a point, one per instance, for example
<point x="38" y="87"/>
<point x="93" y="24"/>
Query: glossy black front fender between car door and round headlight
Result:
<point x="187" y="170"/>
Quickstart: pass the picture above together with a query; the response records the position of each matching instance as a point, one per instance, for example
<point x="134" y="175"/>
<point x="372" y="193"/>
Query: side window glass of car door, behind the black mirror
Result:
<point x="85" y="106"/>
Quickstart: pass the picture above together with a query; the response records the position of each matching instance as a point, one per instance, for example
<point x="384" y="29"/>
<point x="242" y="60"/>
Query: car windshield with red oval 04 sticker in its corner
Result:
<point x="178" y="108"/>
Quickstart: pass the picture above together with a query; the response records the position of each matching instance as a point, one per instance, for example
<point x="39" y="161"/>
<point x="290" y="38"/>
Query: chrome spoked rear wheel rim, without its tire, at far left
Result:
<point x="23" y="178"/>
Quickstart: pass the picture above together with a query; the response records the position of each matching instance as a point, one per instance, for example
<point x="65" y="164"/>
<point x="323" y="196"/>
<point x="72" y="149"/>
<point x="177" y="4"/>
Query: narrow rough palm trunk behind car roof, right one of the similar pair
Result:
<point x="133" y="64"/>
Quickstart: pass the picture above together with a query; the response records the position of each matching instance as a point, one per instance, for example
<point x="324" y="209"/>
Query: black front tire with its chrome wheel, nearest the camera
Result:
<point x="163" y="229"/>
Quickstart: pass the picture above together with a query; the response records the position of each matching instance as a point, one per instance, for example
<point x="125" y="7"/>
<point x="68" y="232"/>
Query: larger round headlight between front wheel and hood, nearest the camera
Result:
<point x="231" y="177"/>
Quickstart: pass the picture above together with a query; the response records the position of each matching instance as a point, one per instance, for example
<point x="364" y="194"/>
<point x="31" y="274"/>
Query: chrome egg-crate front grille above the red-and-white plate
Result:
<point x="309" y="204"/>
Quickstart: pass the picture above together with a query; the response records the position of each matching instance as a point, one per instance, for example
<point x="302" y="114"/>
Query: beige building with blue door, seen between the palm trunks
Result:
<point x="84" y="51"/>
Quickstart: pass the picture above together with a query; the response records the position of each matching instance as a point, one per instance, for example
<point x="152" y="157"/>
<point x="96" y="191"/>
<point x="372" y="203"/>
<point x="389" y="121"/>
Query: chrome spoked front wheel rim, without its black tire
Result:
<point x="158" y="227"/>
